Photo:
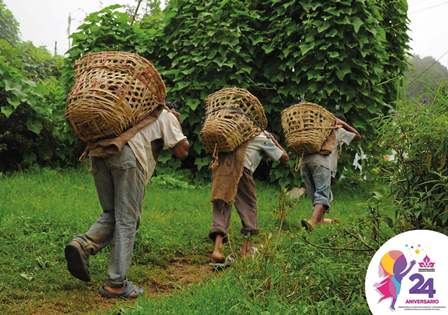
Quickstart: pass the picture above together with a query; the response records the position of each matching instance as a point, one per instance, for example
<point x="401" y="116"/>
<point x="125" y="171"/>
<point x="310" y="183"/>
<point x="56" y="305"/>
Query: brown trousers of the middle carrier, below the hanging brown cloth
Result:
<point x="245" y="204"/>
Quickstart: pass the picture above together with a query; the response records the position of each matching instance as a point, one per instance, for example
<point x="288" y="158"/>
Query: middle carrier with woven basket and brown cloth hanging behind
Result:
<point x="234" y="131"/>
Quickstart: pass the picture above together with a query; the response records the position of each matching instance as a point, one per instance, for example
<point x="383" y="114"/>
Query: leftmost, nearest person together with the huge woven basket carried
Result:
<point x="124" y="160"/>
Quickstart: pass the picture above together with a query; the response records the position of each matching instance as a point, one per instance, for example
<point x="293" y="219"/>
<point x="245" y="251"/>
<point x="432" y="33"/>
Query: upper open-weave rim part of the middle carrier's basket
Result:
<point x="235" y="98"/>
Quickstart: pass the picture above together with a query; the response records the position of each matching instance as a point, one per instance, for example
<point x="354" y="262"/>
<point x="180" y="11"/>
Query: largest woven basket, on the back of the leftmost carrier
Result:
<point x="112" y="92"/>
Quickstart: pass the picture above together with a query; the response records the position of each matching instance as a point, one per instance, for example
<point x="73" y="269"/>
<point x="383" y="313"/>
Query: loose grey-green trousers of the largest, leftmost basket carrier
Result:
<point x="119" y="182"/>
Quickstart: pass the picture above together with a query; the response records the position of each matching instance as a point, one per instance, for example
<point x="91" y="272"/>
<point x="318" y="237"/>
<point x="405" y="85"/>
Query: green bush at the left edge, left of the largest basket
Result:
<point x="32" y="103"/>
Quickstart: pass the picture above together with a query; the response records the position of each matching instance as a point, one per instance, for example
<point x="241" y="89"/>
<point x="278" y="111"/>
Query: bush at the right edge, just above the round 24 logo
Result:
<point x="417" y="136"/>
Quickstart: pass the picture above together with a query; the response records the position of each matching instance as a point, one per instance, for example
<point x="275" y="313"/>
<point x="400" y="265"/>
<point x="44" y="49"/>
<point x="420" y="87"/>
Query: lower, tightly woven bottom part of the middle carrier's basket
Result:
<point x="226" y="130"/>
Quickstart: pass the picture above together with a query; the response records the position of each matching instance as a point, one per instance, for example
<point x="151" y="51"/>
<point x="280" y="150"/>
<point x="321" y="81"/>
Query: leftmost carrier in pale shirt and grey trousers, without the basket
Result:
<point x="120" y="180"/>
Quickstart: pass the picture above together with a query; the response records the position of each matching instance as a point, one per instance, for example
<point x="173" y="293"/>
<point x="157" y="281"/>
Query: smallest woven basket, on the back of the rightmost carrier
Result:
<point x="307" y="126"/>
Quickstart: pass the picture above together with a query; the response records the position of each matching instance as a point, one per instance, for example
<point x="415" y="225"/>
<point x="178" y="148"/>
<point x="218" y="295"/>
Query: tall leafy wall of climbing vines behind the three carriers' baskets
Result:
<point x="343" y="55"/>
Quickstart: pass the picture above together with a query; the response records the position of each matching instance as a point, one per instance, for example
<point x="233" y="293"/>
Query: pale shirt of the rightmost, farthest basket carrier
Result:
<point x="330" y="161"/>
